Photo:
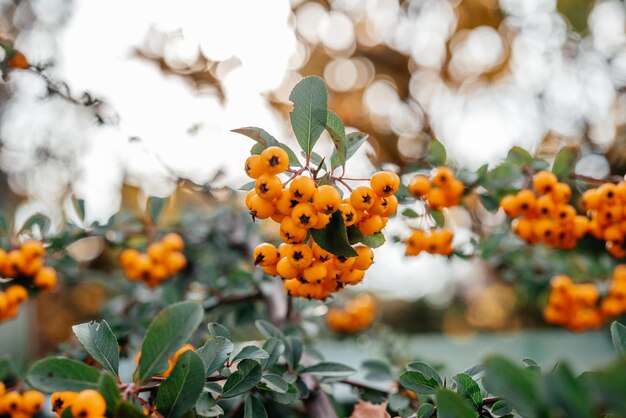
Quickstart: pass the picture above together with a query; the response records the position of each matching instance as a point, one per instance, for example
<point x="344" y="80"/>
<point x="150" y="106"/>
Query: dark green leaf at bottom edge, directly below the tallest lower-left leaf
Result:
<point x="180" y="391"/>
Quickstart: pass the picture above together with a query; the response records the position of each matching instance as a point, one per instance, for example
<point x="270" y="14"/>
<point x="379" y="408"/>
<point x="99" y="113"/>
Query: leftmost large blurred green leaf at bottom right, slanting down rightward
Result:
<point x="517" y="386"/>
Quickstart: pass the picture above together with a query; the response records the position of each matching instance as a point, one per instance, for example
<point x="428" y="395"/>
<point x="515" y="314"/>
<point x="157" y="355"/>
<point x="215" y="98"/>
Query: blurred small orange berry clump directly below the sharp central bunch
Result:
<point x="357" y="315"/>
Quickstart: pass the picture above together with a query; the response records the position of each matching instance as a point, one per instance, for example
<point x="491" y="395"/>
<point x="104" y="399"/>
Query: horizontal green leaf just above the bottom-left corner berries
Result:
<point x="58" y="374"/>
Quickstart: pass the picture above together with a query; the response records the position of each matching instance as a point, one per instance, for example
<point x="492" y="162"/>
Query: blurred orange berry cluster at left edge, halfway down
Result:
<point x="23" y="267"/>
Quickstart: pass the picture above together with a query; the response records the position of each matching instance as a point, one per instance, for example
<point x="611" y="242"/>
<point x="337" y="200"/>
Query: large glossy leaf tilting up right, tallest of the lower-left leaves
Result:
<point x="171" y="328"/>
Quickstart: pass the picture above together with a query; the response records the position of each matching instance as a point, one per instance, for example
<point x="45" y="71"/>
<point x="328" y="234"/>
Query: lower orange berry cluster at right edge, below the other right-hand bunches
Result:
<point x="580" y="306"/>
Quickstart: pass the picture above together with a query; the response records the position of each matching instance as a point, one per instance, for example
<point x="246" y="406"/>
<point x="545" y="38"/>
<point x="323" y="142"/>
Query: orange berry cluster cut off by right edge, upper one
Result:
<point x="606" y="207"/>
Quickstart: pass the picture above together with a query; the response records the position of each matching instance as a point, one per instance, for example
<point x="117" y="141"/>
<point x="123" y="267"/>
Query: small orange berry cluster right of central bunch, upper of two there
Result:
<point x="440" y="190"/>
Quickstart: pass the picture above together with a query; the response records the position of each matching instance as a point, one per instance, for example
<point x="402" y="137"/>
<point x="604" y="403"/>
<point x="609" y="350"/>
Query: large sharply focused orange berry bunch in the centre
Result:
<point x="308" y="270"/>
